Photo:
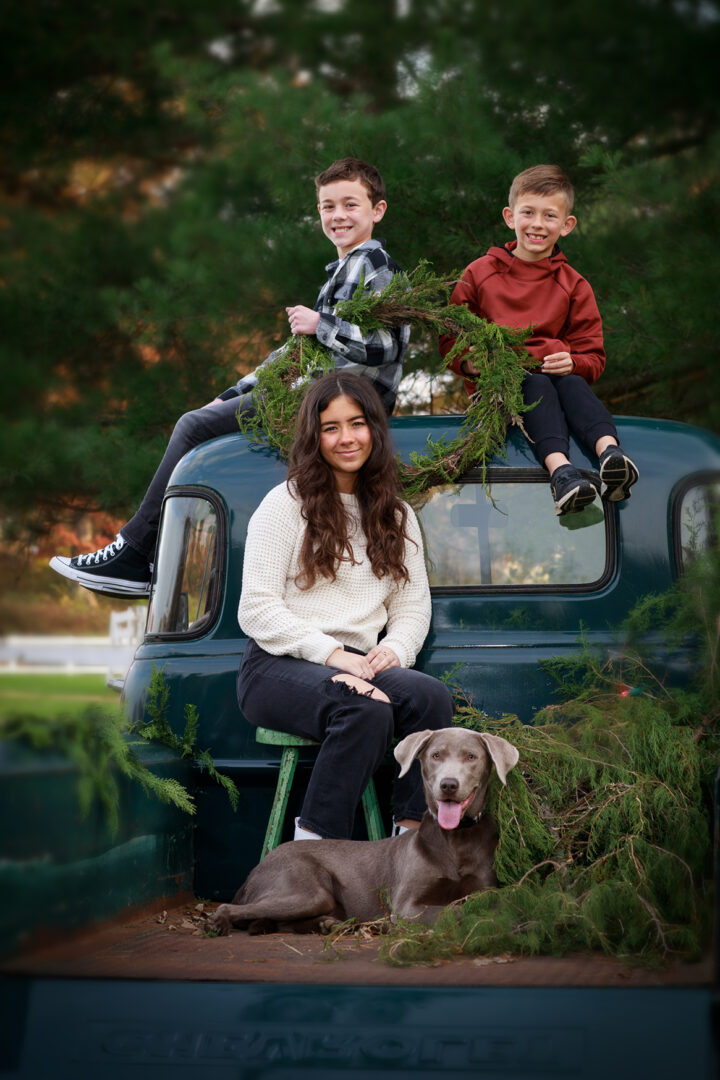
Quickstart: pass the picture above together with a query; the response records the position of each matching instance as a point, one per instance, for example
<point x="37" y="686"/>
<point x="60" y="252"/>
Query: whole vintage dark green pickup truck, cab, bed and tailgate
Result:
<point x="512" y="585"/>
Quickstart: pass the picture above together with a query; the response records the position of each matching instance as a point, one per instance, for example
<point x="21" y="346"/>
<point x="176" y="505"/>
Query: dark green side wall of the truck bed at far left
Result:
<point x="62" y="870"/>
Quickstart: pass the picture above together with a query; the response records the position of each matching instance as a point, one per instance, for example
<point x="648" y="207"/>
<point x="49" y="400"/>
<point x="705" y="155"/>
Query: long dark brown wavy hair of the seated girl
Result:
<point x="384" y="516"/>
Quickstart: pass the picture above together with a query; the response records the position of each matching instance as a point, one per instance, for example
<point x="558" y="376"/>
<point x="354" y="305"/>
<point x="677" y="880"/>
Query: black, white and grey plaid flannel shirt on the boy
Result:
<point x="378" y="355"/>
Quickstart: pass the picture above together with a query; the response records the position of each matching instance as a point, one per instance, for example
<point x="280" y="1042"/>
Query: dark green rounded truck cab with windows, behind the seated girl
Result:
<point x="512" y="585"/>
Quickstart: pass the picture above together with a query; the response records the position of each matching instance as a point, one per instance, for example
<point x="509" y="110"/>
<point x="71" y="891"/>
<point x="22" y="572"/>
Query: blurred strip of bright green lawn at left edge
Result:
<point x="53" y="695"/>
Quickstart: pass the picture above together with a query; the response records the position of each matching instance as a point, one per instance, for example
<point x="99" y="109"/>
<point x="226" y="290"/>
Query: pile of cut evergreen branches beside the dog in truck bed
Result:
<point x="606" y="823"/>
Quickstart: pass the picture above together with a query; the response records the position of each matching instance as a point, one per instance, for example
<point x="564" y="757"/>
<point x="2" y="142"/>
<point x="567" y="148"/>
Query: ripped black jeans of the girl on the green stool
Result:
<point x="355" y="732"/>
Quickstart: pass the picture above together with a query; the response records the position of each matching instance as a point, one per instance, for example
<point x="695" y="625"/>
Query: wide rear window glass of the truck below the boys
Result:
<point x="510" y="536"/>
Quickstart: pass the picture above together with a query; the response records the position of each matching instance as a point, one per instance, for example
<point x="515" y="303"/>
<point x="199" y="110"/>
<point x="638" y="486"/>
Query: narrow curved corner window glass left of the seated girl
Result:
<point x="187" y="572"/>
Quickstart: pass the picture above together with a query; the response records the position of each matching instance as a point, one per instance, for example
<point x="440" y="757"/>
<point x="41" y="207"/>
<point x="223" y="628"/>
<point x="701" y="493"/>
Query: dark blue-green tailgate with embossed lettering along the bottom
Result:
<point x="73" y="1030"/>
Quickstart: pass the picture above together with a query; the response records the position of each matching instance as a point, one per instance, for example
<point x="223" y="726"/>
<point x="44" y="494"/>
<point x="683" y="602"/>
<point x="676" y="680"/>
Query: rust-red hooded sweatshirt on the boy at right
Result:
<point x="549" y="295"/>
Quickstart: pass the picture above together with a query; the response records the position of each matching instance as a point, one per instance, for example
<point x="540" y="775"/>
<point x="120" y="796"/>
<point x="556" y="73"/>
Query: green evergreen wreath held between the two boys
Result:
<point x="423" y="301"/>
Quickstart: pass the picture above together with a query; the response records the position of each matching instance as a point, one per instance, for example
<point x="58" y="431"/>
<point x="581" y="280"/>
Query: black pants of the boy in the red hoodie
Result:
<point x="565" y="402"/>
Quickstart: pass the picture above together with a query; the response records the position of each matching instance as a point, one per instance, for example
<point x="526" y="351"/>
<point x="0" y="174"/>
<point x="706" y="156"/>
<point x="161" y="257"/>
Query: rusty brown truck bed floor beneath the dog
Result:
<point x="170" y="944"/>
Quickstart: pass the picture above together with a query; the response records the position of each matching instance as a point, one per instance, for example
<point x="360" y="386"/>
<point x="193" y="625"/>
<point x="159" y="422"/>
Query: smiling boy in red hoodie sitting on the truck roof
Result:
<point x="531" y="283"/>
